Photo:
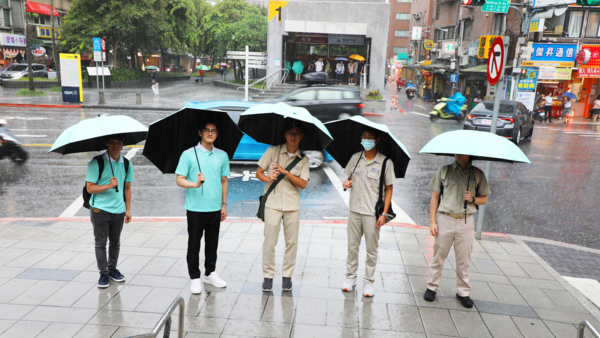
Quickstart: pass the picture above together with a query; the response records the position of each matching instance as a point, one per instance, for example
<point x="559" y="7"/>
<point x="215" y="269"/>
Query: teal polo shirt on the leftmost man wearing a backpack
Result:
<point x="109" y="200"/>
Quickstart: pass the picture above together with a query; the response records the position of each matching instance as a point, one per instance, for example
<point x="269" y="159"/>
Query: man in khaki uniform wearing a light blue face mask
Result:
<point x="365" y="169"/>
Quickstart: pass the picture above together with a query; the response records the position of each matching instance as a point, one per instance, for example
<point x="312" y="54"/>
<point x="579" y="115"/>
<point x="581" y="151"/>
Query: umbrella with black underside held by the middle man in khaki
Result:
<point x="266" y="123"/>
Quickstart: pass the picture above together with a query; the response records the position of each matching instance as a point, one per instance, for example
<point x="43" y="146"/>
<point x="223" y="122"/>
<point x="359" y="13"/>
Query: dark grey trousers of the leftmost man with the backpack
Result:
<point x="107" y="226"/>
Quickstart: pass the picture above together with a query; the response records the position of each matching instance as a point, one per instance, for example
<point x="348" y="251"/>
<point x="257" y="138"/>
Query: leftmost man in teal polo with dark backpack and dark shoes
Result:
<point x="109" y="207"/>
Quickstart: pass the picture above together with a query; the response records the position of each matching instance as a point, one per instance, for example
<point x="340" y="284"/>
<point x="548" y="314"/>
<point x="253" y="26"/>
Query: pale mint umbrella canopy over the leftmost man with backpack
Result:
<point x="91" y="134"/>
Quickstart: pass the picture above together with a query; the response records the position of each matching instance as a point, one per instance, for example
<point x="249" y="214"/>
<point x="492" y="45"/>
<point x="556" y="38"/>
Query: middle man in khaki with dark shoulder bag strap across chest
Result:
<point x="283" y="203"/>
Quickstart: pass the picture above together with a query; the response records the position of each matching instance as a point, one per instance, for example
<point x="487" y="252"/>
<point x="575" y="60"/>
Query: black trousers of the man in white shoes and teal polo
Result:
<point x="210" y="223"/>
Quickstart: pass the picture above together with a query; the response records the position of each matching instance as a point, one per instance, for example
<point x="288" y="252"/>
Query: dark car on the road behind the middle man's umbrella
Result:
<point x="327" y="103"/>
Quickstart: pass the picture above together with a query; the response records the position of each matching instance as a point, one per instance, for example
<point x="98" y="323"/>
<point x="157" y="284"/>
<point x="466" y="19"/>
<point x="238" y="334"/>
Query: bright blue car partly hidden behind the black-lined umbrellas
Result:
<point x="249" y="149"/>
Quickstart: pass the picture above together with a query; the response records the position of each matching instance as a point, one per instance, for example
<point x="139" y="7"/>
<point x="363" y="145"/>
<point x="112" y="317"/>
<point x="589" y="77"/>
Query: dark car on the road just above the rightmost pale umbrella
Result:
<point x="514" y="120"/>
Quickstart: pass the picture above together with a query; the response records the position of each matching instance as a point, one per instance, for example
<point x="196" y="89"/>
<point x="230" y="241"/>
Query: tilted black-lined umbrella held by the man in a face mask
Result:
<point x="346" y="134"/>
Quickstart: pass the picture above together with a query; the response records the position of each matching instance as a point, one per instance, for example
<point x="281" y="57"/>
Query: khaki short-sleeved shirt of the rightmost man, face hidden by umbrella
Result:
<point x="455" y="184"/>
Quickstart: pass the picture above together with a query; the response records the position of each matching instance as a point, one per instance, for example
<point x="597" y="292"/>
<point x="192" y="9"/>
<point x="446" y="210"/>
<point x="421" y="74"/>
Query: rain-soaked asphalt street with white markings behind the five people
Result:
<point x="553" y="198"/>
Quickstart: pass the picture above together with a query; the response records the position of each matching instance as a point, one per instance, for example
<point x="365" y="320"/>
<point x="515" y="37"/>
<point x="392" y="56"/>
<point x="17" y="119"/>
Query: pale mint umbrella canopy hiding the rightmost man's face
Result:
<point x="480" y="145"/>
